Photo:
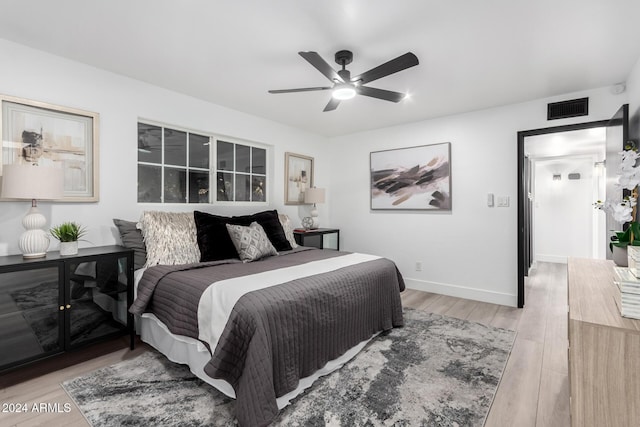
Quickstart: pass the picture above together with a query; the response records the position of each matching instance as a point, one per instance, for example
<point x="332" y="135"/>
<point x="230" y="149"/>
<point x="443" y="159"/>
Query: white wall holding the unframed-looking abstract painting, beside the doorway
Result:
<point x="471" y="251"/>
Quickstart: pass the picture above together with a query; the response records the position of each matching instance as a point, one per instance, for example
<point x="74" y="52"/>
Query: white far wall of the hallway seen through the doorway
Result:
<point x="563" y="217"/>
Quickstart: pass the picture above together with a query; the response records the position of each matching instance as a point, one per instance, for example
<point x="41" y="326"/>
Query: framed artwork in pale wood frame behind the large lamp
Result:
<point x="44" y="134"/>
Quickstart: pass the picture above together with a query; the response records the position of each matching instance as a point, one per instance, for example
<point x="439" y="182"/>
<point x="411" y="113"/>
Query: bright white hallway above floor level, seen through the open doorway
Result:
<point x="567" y="177"/>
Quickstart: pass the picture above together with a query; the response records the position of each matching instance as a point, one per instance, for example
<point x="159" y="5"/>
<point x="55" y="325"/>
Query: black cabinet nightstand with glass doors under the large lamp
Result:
<point x="57" y="303"/>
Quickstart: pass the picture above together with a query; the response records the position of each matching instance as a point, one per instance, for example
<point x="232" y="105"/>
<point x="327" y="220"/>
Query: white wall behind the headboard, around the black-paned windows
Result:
<point x="120" y="101"/>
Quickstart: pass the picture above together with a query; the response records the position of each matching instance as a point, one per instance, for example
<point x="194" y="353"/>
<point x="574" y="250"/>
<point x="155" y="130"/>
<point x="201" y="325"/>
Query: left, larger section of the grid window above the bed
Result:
<point x="173" y="165"/>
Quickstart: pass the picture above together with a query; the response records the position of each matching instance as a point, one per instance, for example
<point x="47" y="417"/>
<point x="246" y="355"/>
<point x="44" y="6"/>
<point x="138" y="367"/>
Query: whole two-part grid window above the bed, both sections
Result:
<point x="175" y="166"/>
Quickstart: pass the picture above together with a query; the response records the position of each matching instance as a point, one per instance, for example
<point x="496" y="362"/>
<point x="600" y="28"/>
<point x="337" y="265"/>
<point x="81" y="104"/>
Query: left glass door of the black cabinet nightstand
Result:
<point x="30" y="314"/>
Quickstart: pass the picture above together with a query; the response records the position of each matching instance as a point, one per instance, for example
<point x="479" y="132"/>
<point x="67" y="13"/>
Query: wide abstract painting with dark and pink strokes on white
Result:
<point x="413" y="178"/>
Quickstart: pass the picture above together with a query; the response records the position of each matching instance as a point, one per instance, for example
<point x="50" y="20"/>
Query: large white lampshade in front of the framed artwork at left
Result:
<point x="32" y="182"/>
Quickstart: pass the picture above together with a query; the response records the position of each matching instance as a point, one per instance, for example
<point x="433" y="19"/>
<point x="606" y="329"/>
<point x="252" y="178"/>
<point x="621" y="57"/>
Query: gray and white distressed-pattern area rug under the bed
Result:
<point x="435" y="371"/>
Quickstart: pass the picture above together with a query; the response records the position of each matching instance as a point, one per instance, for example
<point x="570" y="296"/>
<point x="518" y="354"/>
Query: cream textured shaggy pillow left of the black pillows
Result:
<point x="170" y="238"/>
